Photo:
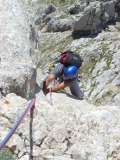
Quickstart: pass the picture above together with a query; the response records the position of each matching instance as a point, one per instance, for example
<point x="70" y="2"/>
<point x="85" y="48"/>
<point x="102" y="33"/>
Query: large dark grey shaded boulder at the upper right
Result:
<point x="95" y="17"/>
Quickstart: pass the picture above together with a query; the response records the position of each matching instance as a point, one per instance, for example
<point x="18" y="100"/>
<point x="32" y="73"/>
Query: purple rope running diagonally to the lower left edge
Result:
<point x="30" y="107"/>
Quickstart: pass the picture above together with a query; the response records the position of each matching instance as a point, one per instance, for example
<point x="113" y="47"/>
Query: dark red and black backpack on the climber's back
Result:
<point x="69" y="58"/>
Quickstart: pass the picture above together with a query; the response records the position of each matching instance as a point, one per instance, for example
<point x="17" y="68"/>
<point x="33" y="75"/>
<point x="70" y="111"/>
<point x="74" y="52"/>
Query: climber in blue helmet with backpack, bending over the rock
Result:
<point x="67" y="73"/>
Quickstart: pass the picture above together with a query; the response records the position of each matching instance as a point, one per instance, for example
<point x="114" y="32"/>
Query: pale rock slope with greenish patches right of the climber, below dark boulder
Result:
<point x="101" y="68"/>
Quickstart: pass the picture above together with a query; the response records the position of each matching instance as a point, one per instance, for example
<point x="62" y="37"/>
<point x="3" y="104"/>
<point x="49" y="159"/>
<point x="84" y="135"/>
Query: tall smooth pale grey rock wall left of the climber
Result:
<point x="16" y="68"/>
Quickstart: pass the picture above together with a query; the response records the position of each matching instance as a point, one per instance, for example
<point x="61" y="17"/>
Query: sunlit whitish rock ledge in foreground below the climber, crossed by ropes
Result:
<point x="70" y="130"/>
